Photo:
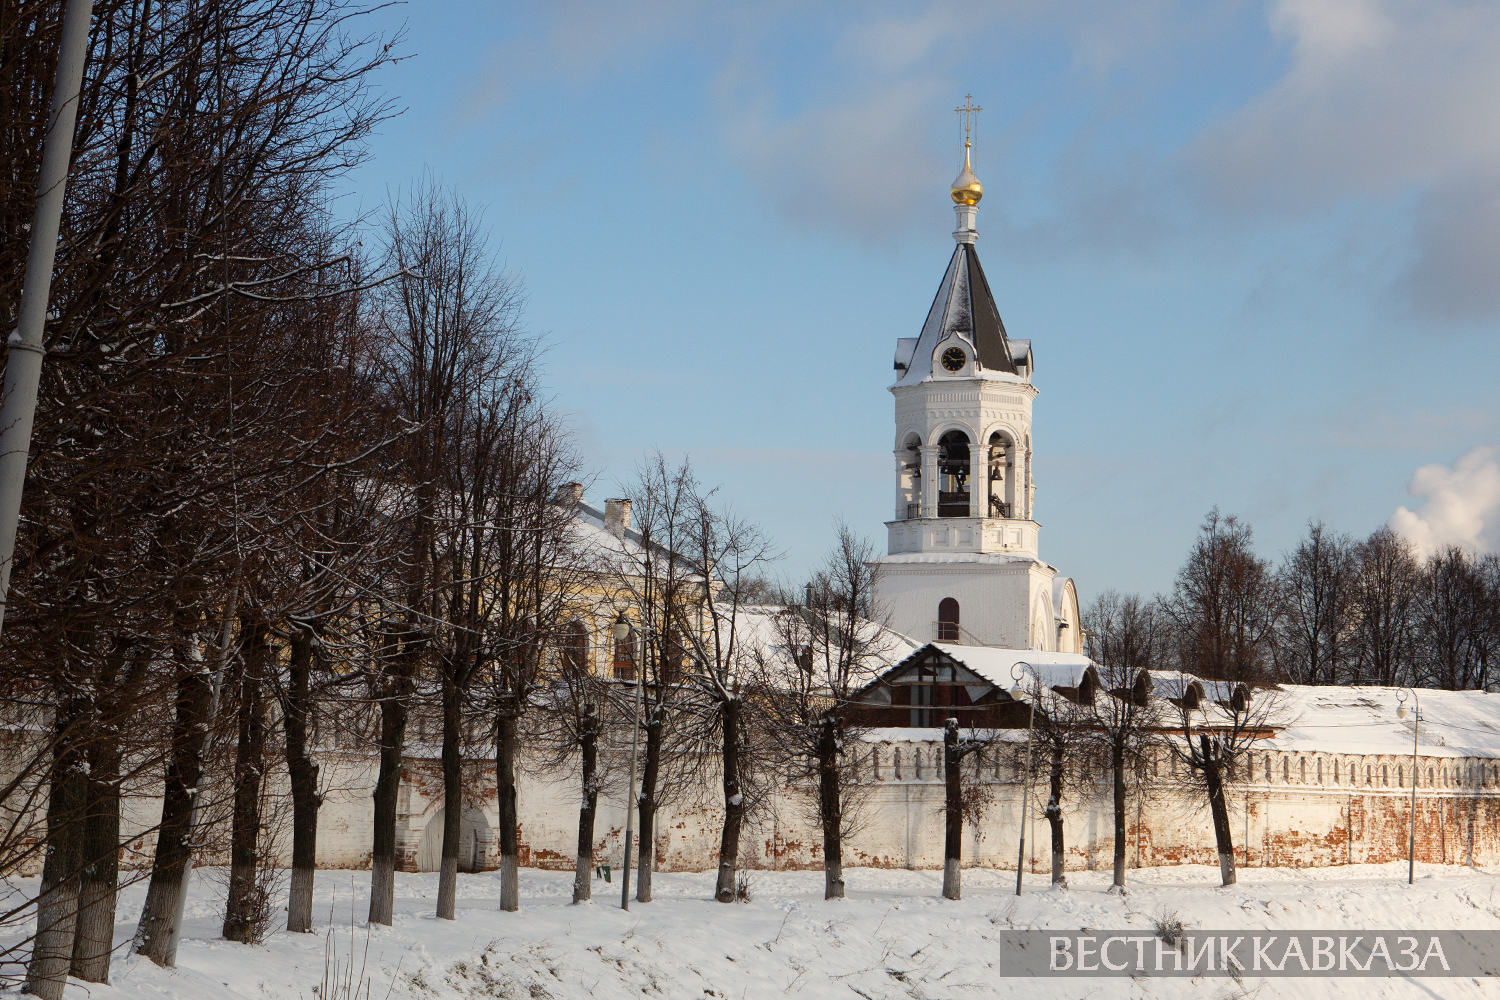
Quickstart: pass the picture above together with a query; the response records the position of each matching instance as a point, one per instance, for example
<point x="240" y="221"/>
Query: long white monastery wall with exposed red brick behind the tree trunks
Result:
<point x="1298" y="816"/>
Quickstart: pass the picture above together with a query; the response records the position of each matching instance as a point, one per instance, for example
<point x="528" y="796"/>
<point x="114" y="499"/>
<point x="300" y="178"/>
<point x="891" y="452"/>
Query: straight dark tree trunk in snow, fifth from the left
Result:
<point x="304" y="774"/>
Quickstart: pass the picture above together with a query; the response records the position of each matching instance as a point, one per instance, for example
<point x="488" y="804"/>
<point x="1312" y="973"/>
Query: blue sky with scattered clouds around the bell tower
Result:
<point x="1256" y="247"/>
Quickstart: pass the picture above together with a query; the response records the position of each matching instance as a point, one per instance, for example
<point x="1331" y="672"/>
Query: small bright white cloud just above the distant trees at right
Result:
<point x="1462" y="504"/>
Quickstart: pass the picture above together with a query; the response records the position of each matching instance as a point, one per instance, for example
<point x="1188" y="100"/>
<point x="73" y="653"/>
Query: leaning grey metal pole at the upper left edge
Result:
<point x="23" y="368"/>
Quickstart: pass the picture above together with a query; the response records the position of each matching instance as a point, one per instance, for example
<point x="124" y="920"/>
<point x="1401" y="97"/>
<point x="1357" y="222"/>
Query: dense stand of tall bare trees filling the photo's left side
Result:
<point x="283" y="488"/>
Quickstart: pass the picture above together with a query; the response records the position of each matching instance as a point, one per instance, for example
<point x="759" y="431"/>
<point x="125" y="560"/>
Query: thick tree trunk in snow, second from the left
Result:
<point x="94" y="939"/>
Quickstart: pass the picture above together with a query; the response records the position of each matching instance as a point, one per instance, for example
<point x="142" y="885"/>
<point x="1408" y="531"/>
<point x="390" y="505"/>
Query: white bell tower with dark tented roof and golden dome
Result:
<point x="962" y="563"/>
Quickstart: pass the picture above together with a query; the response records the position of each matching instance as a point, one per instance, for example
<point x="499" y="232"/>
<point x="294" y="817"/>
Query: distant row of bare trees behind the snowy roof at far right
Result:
<point x="1336" y="611"/>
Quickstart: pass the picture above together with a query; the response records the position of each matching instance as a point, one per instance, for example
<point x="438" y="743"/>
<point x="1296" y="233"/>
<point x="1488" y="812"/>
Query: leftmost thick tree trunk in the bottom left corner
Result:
<point x="58" y="902"/>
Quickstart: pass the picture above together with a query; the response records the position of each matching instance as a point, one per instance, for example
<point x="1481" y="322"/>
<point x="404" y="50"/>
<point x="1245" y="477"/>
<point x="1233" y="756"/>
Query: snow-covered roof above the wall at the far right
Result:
<point x="1363" y="720"/>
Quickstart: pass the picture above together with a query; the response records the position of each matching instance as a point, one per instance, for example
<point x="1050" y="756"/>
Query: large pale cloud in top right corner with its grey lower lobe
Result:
<point x="1382" y="101"/>
